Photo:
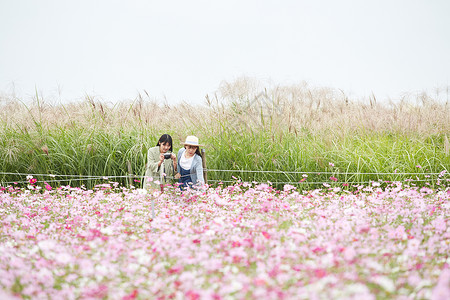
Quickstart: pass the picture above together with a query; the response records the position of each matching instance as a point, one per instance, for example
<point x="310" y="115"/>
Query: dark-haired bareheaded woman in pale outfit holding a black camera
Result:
<point x="161" y="164"/>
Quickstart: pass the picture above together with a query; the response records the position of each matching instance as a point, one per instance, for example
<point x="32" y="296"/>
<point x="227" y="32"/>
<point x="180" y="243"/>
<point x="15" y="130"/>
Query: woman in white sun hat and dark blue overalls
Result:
<point x="190" y="169"/>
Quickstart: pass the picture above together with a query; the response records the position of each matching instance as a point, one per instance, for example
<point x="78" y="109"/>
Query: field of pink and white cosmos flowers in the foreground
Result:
<point x="245" y="241"/>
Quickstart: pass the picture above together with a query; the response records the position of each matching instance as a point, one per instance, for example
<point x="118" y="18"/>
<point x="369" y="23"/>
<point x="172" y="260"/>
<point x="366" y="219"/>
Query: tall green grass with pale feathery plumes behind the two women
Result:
<point x="245" y="127"/>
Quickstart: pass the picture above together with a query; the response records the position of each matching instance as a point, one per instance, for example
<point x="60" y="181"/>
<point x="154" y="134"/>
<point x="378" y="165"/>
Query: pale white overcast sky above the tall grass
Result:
<point x="182" y="50"/>
